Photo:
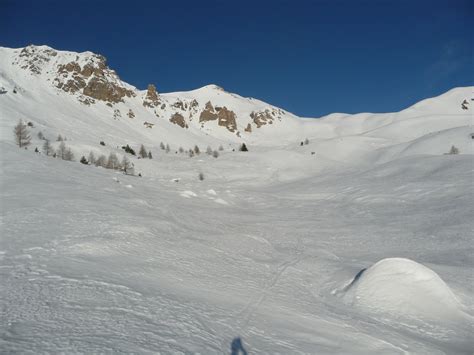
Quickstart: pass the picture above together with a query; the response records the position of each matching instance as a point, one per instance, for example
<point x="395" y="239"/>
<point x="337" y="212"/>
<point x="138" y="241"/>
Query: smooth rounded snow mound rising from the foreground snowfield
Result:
<point x="402" y="287"/>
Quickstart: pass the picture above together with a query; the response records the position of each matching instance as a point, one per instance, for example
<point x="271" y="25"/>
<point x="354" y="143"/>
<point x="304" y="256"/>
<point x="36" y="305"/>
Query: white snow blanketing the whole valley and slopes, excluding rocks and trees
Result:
<point x="263" y="249"/>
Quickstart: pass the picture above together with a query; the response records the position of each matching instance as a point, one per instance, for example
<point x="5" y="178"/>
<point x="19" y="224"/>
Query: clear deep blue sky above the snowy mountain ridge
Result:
<point x="309" y="57"/>
